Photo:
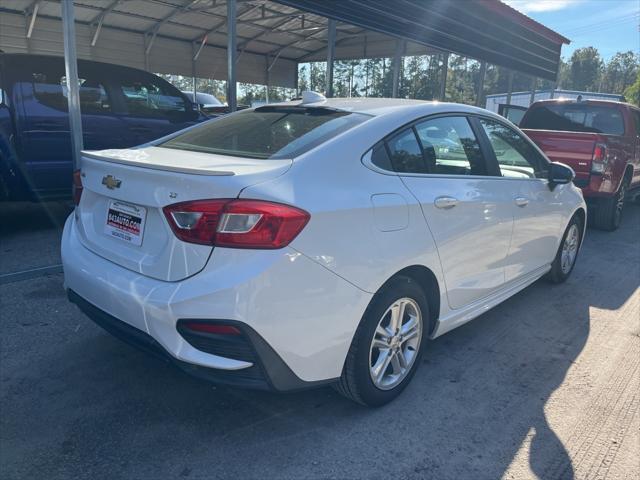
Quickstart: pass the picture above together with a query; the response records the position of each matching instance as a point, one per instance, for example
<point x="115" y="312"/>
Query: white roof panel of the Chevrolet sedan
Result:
<point x="384" y="106"/>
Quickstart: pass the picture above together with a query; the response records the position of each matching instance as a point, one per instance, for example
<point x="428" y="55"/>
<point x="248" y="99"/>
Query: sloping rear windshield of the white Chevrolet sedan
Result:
<point x="267" y="132"/>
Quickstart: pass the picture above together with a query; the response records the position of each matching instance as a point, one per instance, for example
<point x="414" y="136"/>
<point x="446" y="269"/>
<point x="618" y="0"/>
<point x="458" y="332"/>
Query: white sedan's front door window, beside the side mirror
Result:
<point x="516" y="156"/>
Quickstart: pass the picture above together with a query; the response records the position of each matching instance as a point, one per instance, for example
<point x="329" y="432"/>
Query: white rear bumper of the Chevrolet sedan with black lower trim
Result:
<point x="298" y="317"/>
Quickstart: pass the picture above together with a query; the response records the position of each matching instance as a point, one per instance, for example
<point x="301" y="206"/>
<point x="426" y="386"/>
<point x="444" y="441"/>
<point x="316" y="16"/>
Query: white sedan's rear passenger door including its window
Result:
<point x="468" y="212"/>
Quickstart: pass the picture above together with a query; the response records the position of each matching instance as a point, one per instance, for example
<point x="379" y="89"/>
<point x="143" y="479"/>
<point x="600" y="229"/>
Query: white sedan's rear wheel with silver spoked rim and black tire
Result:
<point x="387" y="347"/>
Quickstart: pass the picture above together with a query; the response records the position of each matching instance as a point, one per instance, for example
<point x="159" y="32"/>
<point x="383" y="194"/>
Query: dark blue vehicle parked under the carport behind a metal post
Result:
<point x="121" y="107"/>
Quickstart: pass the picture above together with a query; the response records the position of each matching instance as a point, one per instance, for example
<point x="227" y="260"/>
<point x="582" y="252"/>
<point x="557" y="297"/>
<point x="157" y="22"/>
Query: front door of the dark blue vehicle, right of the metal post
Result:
<point x="153" y="108"/>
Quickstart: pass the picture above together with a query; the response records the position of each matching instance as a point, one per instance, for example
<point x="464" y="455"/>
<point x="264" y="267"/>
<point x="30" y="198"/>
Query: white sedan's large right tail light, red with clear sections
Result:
<point x="236" y="223"/>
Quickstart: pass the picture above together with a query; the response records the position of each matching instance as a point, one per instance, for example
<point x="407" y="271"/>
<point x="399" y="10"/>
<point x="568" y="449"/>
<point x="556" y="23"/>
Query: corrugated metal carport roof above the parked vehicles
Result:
<point x="291" y="30"/>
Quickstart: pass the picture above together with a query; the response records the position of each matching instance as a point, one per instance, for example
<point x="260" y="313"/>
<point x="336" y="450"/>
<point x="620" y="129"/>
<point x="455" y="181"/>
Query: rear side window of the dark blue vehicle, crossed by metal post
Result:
<point x="50" y="89"/>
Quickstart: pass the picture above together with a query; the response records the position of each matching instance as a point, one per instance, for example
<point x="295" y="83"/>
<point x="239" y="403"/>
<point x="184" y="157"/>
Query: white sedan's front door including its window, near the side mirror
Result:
<point x="538" y="210"/>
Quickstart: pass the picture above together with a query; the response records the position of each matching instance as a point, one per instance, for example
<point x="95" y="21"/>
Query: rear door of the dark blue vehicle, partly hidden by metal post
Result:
<point x="45" y="146"/>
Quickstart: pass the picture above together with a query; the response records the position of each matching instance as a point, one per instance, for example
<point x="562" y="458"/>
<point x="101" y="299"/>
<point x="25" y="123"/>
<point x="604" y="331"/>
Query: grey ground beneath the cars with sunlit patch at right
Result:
<point x="545" y="386"/>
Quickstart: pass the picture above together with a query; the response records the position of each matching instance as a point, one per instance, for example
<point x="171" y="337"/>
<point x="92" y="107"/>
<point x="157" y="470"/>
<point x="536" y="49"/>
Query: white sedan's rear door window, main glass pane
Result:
<point x="450" y="147"/>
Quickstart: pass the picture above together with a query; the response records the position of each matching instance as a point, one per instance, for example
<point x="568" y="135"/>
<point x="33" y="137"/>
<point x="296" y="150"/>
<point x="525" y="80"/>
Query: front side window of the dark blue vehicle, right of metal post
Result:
<point x="146" y="98"/>
